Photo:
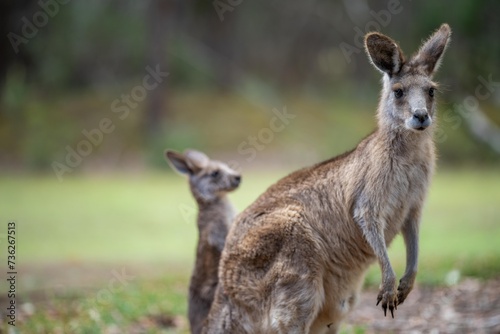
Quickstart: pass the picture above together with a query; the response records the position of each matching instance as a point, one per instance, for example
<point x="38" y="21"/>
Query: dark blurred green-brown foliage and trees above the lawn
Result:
<point x="225" y="77"/>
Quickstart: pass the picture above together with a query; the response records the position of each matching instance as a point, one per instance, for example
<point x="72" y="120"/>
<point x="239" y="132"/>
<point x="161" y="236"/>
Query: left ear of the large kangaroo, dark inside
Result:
<point x="384" y="53"/>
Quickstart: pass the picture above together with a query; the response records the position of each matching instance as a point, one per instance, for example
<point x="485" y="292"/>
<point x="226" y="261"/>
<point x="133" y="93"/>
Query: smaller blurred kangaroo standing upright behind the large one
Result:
<point x="209" y="182"/>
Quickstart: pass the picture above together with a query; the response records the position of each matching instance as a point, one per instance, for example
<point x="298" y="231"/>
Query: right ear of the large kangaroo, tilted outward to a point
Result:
<point x="431" y="52"/>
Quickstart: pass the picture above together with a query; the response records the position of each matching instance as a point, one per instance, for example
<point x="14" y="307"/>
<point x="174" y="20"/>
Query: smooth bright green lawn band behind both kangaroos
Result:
<point x="151" y="218"/>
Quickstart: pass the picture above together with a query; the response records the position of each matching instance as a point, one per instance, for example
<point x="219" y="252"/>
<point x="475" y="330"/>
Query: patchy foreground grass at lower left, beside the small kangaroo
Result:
<point x="151" y="306"/>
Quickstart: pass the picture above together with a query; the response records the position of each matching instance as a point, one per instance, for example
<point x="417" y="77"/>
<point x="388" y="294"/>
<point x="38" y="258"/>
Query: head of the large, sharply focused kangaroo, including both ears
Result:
<point x="407" y="100"/>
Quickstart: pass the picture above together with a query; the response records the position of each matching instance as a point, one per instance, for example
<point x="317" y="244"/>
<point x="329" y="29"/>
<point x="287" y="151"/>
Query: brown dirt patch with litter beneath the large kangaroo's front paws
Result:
<point x="471" y="306"/>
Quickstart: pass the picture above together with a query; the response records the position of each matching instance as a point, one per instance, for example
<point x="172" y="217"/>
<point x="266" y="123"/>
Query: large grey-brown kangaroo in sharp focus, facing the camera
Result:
<point x="295" y="259"/>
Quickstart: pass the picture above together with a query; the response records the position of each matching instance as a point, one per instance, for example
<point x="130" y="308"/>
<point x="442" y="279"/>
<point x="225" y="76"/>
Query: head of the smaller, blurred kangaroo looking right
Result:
<point x="208" y="179"/>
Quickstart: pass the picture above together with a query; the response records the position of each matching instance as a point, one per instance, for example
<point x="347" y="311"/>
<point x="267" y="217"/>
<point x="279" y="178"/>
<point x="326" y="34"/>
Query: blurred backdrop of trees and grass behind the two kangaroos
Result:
<point x="93" y="92"/>
